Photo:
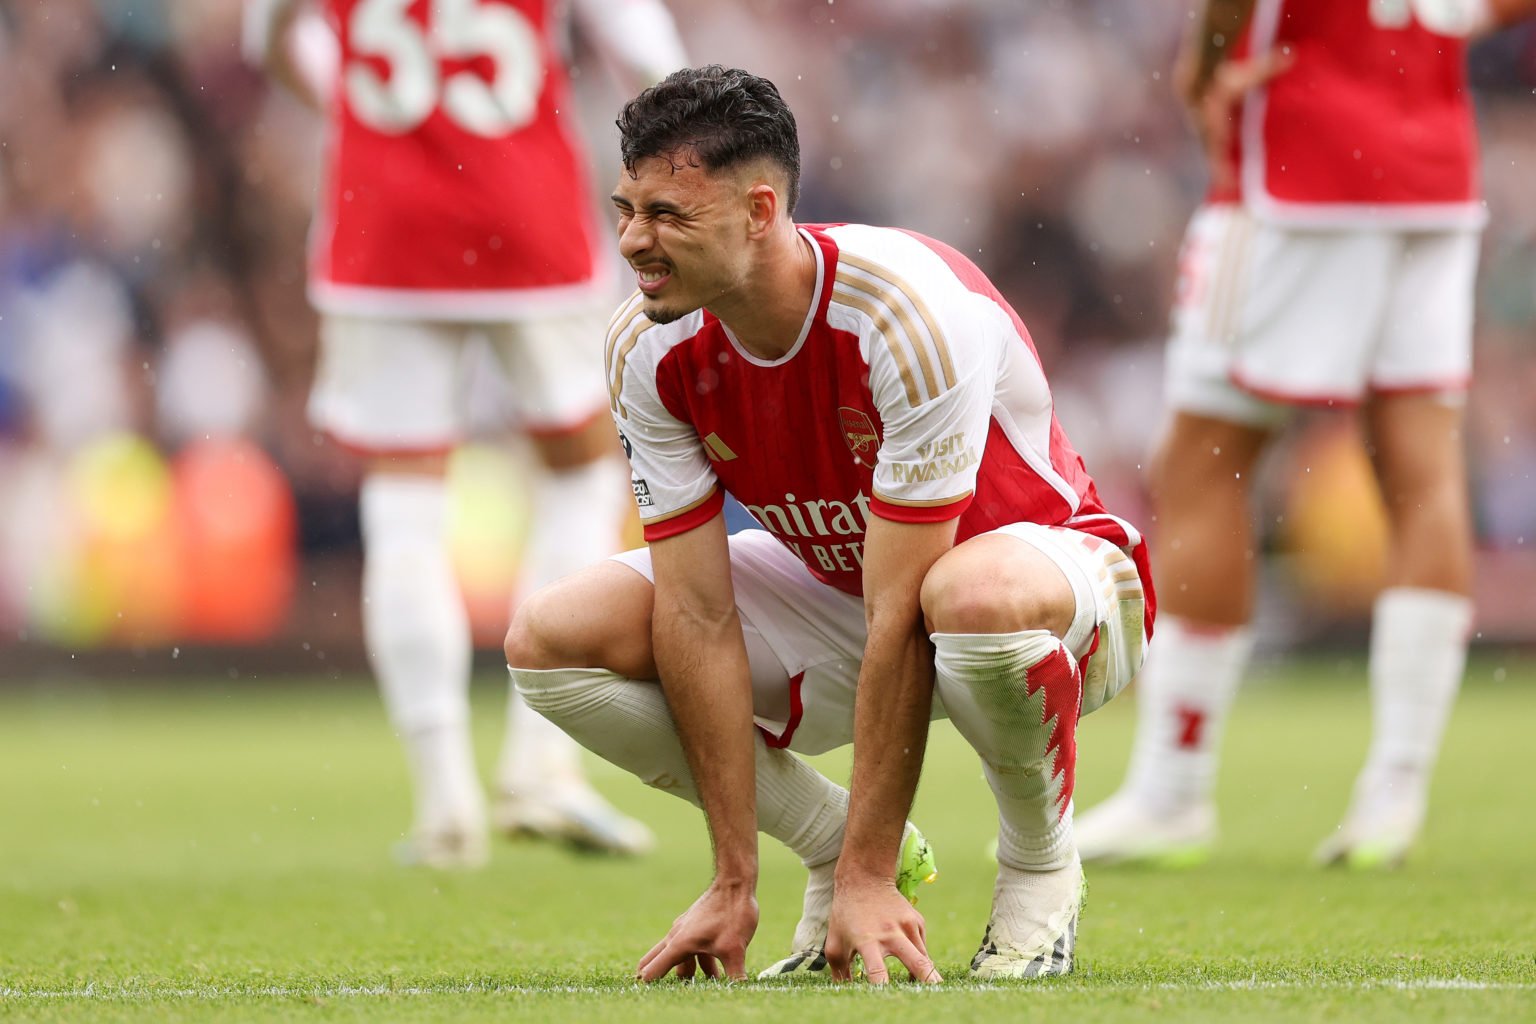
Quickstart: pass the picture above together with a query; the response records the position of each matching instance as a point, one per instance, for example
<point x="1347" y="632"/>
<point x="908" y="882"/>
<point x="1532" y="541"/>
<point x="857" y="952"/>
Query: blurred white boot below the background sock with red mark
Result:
<point x="1125" y="828"/>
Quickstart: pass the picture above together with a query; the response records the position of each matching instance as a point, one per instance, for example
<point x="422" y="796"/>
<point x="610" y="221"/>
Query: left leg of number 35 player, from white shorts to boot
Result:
<point x="388" y="389"/>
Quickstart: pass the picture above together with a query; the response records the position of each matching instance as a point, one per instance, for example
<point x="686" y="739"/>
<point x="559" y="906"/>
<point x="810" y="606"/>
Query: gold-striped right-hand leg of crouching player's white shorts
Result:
<point x="1108" y="629"/>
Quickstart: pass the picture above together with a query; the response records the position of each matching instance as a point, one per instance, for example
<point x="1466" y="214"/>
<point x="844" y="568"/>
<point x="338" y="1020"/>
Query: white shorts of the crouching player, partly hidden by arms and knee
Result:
<point x="806" y="639"/>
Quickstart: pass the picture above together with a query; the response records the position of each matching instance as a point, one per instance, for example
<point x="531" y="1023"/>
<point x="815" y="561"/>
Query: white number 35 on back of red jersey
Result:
<point x="415" y="87"/>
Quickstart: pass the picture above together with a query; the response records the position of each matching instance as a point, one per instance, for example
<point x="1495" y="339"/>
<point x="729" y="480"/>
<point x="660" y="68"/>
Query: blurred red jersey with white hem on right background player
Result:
<point x="1371" y="125"/>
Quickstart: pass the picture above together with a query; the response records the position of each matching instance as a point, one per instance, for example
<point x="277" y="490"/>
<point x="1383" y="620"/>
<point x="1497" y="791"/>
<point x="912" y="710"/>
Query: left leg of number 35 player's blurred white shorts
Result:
<point x="389" y="386"/>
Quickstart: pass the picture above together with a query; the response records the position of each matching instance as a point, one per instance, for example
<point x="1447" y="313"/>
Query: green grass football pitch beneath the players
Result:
<point x="220" y="853"/>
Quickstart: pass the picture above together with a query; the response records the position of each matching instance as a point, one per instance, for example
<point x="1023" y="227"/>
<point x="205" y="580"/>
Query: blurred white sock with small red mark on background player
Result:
<point x="1183" y="695"/>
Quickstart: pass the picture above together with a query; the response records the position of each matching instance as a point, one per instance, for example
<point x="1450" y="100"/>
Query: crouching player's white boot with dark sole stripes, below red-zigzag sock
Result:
<point x="1033" y="931"/>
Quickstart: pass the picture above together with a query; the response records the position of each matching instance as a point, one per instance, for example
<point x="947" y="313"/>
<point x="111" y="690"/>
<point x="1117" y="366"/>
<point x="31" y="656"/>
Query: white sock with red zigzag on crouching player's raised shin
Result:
<point x="1016" y="699"/>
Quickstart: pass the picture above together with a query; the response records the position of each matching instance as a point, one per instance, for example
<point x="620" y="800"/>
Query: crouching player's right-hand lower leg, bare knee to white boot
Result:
<point x="999" y="610"/>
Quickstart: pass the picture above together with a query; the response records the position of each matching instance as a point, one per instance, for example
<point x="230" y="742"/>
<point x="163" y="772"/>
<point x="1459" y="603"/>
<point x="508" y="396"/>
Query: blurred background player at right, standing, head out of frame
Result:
<point x="1332" y="265"/>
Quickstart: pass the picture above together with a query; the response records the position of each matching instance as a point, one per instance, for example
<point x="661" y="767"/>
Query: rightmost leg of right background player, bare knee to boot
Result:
<point x="1420" y="627"/>
